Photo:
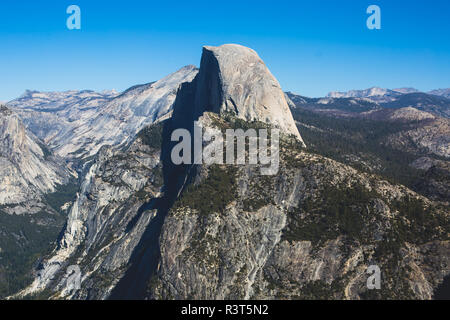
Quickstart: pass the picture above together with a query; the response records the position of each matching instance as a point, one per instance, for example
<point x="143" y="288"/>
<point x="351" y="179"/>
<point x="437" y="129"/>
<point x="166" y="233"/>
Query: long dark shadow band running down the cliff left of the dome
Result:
<point x="145" y="258"/>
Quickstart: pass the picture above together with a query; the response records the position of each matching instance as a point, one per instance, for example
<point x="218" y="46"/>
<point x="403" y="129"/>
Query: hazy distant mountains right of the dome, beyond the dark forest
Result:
<point x="429" y="113"/>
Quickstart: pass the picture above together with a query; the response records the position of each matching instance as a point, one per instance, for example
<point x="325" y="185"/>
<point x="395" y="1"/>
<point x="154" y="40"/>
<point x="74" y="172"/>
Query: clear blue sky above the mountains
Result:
<point x="312" y="47"/>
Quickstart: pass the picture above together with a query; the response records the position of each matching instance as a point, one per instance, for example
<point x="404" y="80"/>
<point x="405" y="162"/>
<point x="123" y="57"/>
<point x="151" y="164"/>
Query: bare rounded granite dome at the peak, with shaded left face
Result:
<point x="233" y="78"/>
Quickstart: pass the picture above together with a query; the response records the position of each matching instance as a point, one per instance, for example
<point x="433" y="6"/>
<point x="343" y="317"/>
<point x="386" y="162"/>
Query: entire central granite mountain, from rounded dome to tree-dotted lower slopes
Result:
<point x="143" y="227"/>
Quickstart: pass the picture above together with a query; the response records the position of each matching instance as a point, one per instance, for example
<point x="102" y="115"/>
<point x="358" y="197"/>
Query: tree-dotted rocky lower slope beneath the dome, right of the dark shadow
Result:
<point x="277" y="236"/>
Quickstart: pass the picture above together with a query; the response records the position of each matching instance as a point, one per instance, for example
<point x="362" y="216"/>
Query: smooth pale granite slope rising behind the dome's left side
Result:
<point x="121" y="119"/>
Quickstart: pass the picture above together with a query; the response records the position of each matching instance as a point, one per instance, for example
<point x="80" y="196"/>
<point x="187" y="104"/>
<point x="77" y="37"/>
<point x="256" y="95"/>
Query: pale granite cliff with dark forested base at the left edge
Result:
<point x="31" y="178"/>
